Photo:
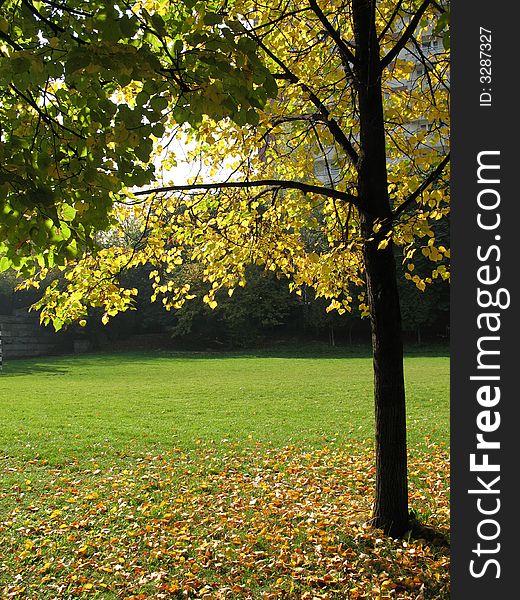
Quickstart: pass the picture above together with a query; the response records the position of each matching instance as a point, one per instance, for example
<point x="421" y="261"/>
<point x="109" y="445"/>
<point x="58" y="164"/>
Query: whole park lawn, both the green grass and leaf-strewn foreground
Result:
<point x="248" y="475"/>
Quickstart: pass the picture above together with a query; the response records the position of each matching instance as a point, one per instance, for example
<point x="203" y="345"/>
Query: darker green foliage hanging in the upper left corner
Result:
<point x="86" y="90"/>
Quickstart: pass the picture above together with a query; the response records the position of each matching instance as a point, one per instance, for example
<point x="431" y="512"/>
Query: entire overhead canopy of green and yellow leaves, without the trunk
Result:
<point x="103" y="112"/>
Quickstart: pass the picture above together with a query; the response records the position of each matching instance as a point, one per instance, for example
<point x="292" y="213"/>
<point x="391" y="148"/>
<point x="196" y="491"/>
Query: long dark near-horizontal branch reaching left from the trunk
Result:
<point x="276" y="183"/>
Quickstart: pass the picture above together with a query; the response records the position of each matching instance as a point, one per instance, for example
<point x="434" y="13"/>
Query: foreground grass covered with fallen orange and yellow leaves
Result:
<point x="257" y="522"/>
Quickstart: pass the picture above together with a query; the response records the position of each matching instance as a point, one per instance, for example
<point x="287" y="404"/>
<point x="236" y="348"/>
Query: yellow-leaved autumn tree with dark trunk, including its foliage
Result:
<point x="363" y="91"/>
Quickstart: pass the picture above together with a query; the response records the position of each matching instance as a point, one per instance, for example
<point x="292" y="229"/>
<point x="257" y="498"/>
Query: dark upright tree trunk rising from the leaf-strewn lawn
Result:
<point x="391" y="494"/>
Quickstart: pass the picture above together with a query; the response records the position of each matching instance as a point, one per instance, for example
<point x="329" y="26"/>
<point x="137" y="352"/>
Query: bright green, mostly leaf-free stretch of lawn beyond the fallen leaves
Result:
<point x="95" y="406"/>
